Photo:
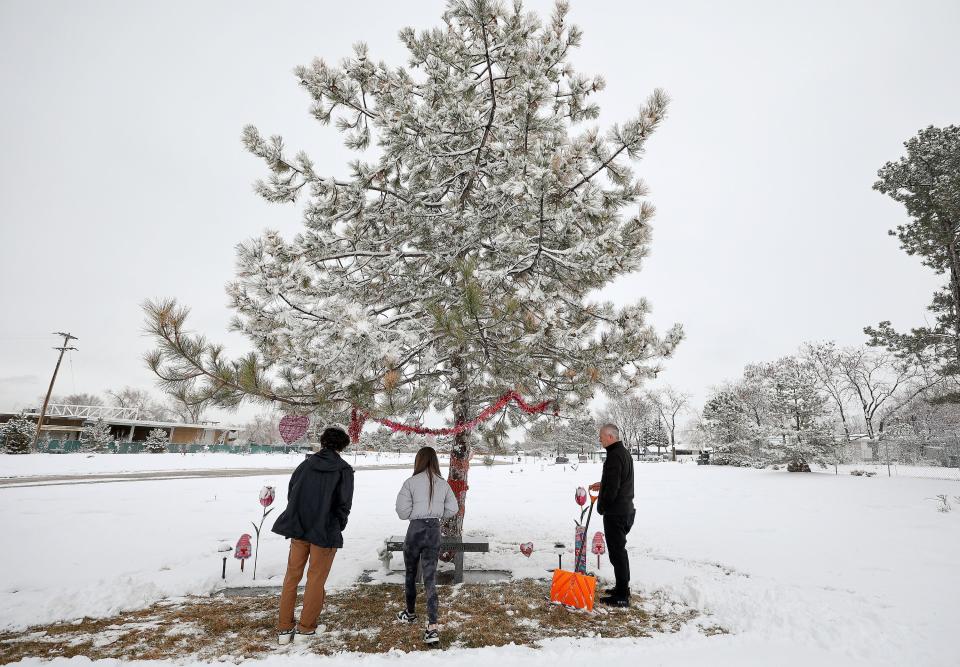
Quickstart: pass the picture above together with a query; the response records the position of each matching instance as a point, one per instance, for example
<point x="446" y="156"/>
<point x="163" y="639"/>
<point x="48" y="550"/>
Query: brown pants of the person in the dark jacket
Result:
<point x="321" y="558"/>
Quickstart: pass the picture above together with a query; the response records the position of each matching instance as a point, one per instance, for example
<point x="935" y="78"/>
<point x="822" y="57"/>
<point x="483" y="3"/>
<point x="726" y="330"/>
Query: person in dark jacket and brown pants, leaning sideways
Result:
<point x="319" y="499"/>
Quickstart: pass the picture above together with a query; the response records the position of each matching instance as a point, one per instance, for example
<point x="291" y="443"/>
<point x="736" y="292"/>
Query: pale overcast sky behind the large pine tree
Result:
<point x="122" y="175"/>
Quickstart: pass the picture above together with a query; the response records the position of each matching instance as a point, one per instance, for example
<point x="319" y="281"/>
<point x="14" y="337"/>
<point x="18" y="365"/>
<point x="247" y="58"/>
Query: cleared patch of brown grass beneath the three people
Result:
<point x="360" y="619"/>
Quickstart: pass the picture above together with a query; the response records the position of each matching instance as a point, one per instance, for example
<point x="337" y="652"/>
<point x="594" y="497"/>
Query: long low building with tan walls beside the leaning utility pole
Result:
<point x="66" y="422"/>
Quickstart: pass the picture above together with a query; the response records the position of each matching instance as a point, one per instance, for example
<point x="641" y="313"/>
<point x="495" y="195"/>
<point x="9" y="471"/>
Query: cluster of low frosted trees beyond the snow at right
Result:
<point x="808" y="407"/>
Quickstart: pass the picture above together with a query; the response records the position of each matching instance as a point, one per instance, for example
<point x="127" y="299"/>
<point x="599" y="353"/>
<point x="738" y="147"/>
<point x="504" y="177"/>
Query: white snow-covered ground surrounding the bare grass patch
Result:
<point x="803" y="569"/>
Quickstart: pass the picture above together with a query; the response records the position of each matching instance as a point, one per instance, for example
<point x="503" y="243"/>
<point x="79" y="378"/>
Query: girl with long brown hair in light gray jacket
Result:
<point x="424" y="500"/>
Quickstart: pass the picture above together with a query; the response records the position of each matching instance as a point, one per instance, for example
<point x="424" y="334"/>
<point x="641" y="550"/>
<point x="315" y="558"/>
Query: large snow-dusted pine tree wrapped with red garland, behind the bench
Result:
<point x="457" y="258"/>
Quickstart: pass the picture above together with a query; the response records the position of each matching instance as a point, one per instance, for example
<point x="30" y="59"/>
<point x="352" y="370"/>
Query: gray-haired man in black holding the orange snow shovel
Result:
<point x="615" y="504"/>
